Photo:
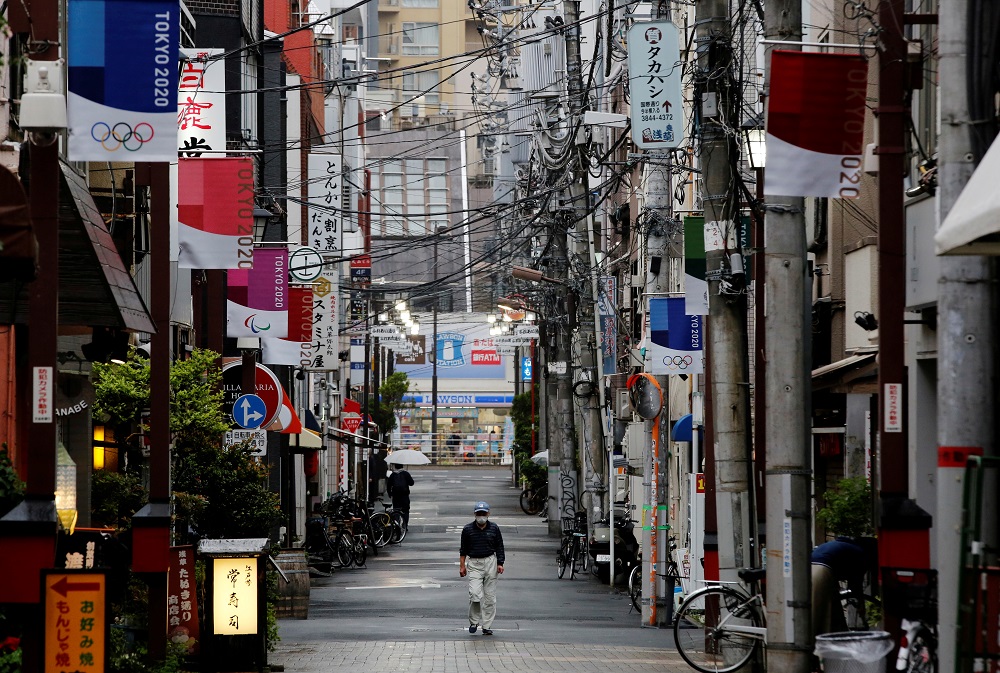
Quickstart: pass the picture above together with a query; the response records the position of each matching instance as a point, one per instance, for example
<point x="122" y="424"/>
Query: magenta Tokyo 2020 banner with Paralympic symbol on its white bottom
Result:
<point x="257" y="303"/>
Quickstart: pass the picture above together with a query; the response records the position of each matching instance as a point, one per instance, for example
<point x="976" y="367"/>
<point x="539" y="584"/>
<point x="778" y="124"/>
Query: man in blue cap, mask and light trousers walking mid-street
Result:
<point x="481" y="557"/>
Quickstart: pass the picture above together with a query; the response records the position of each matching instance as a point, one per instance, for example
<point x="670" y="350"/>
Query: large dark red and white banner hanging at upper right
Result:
<point x="815" y="124"/>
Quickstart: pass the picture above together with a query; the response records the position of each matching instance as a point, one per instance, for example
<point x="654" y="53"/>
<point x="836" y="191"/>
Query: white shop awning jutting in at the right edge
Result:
<point x="972" y="227"/>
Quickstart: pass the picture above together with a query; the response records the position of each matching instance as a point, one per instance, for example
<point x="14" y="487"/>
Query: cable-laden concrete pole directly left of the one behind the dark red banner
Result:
<point x="726" y="339"/>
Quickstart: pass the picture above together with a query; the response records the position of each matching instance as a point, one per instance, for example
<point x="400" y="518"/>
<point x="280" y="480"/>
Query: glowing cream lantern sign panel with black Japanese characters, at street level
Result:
<point x="234" y="596"/>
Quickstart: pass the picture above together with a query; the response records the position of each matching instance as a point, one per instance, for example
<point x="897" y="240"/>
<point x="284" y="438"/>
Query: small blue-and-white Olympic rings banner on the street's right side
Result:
<point x="674" y="343"/>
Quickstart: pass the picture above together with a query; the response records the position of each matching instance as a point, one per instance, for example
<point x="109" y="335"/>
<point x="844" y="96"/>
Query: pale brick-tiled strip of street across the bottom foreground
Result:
<point x="495" y="655"/>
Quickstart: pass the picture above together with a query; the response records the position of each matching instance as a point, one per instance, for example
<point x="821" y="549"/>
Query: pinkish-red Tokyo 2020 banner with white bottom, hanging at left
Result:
<point x="215" y="210"/>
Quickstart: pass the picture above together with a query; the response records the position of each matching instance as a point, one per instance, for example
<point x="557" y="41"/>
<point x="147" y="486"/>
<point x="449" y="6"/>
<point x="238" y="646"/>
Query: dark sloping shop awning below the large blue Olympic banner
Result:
<point x="95" y="289"/>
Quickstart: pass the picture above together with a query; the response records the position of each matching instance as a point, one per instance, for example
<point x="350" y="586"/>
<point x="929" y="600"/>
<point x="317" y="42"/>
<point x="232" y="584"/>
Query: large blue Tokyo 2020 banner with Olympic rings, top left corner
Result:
<point x="123" y="66"/>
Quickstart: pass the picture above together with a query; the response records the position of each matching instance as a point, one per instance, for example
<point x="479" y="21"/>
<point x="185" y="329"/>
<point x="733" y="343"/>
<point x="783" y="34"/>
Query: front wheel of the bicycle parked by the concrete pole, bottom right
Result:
<point x="716" y="649"/>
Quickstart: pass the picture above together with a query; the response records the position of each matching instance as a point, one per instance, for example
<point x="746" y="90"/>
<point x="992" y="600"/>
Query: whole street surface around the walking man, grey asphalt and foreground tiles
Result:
<point x="406" y="611"/>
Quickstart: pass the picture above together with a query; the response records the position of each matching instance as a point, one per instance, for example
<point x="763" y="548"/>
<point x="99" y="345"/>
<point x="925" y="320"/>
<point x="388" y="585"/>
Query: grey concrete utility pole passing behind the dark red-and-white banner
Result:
<point x="786" y="403"/>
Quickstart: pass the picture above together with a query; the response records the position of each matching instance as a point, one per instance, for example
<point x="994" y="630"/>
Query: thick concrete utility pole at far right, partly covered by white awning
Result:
<point x="966" y="328"/>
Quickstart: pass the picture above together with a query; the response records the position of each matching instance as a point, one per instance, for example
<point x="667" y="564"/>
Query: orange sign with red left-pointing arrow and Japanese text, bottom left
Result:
<point x="76" y="625"/>
